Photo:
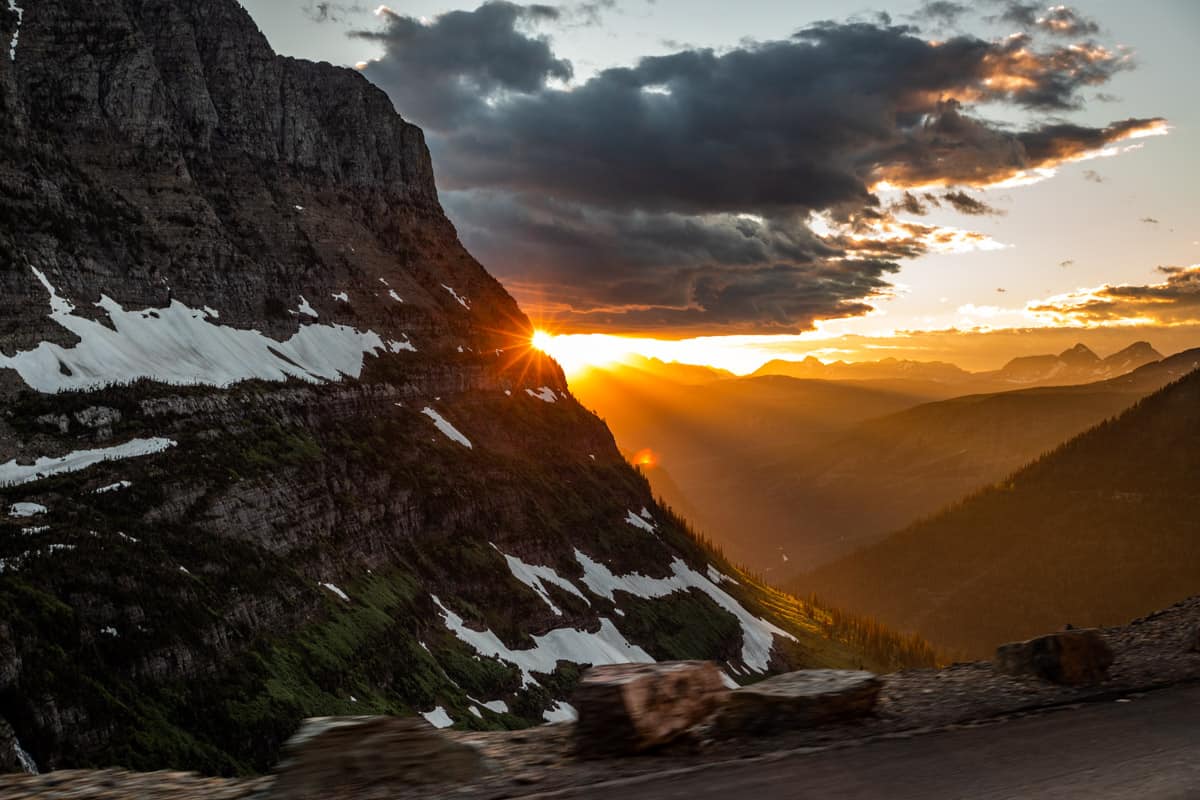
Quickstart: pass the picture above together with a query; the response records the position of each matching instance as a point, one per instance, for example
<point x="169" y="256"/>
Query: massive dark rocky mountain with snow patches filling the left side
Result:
<point x="274" y="446"/>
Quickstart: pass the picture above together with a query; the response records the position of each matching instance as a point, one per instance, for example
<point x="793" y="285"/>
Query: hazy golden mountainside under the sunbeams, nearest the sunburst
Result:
<point x="721" y="441"/>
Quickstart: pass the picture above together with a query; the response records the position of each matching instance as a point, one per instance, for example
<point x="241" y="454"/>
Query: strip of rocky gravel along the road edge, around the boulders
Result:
<point x="1153" y="653"/>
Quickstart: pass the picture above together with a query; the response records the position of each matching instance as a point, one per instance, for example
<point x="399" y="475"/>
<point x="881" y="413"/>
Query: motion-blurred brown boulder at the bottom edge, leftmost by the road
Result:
<point x="334" y="756"/>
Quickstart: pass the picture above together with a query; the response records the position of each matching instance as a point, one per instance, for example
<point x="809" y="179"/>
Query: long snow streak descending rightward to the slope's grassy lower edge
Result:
<point x="758" y="635"/>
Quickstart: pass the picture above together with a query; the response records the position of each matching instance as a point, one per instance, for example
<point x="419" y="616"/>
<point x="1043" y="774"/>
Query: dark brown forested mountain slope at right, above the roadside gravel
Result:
<point x="1102" y="530"/>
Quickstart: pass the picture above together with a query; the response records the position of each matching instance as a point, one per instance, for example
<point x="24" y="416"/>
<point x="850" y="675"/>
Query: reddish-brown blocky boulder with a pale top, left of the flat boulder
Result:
<point x="632" y="708"/>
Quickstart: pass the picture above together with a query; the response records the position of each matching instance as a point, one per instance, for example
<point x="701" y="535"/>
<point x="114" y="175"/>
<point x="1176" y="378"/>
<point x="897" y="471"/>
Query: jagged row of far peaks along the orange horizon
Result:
<point x="1077" y="365"/>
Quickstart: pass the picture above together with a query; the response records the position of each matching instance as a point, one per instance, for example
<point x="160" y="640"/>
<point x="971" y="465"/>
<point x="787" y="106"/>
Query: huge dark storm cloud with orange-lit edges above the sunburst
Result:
<point x="681" y="190"/>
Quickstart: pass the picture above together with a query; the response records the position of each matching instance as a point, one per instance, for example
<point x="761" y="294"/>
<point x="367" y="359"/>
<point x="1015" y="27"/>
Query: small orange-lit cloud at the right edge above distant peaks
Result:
<point x="1173" y="302"/>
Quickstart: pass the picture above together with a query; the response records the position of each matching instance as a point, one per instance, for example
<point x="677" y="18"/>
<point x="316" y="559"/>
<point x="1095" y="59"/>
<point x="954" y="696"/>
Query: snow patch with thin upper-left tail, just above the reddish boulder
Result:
<point x="605" y="647"/>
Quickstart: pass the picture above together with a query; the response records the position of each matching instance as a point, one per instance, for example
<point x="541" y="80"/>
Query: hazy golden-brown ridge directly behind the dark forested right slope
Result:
<point x="890" y="472"/>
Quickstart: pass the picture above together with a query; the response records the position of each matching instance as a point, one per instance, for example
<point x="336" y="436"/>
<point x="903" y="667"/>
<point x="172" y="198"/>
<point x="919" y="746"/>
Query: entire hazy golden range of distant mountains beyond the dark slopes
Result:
<point x="789" y="473"/>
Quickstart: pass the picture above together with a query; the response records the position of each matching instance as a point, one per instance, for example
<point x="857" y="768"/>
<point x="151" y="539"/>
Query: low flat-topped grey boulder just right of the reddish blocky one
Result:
<point x="799" y="700"/>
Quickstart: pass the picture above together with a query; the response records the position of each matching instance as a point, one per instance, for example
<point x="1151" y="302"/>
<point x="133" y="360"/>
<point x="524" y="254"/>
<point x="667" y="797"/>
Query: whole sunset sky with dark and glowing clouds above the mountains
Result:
<point x="965" y="182"/>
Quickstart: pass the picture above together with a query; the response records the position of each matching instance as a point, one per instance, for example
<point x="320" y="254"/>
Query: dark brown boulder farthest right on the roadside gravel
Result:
<point x="1071" y="658"/>
